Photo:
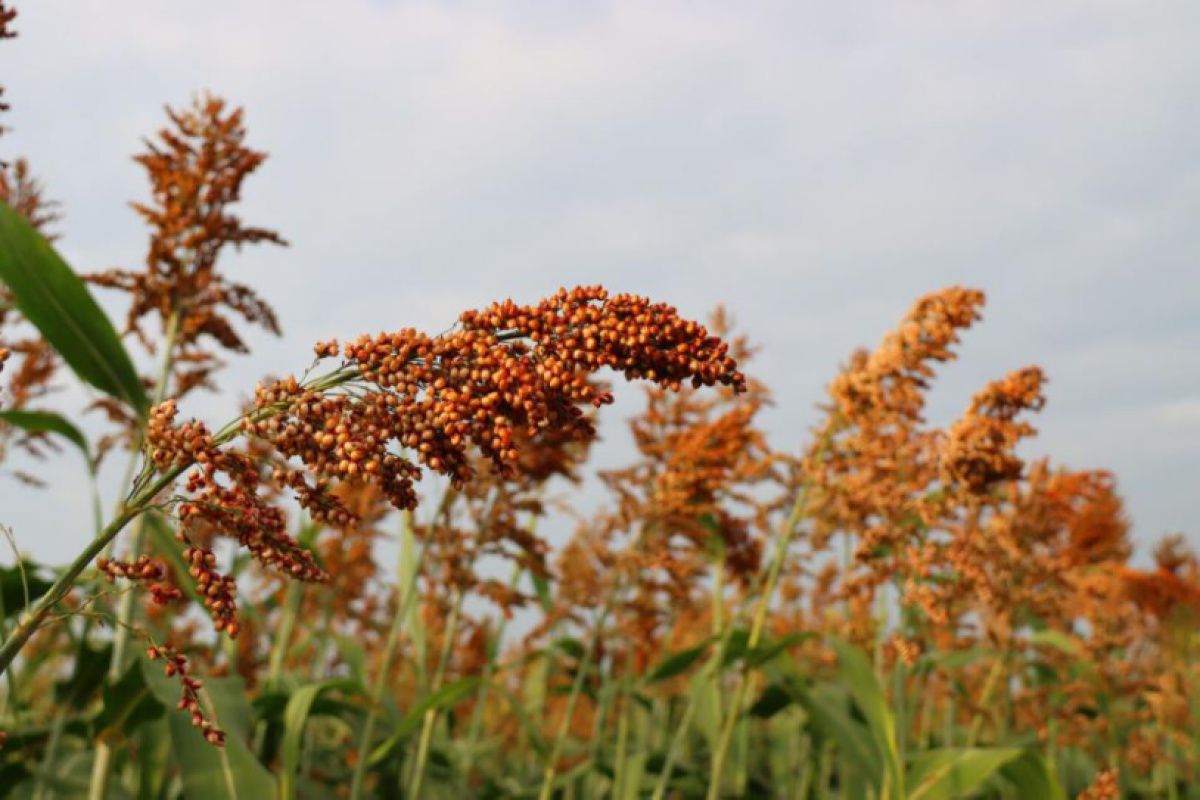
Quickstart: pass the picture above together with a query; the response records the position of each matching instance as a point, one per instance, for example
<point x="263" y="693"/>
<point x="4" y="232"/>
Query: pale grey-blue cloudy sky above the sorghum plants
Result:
<point x="813" y="166"/>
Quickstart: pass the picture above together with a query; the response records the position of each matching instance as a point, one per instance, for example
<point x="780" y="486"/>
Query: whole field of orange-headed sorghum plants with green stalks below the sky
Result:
<point x="885" y="611"/>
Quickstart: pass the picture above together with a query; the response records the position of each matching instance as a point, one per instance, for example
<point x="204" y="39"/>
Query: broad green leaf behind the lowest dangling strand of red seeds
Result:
<point x="232" y="772"/>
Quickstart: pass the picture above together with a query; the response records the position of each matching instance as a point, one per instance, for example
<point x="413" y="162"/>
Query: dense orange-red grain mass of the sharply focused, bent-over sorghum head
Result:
<point x="508" y="374"/>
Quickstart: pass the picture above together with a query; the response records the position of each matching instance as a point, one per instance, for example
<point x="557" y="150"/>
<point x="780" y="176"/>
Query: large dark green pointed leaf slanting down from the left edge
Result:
<point x="53" y="298"/>
